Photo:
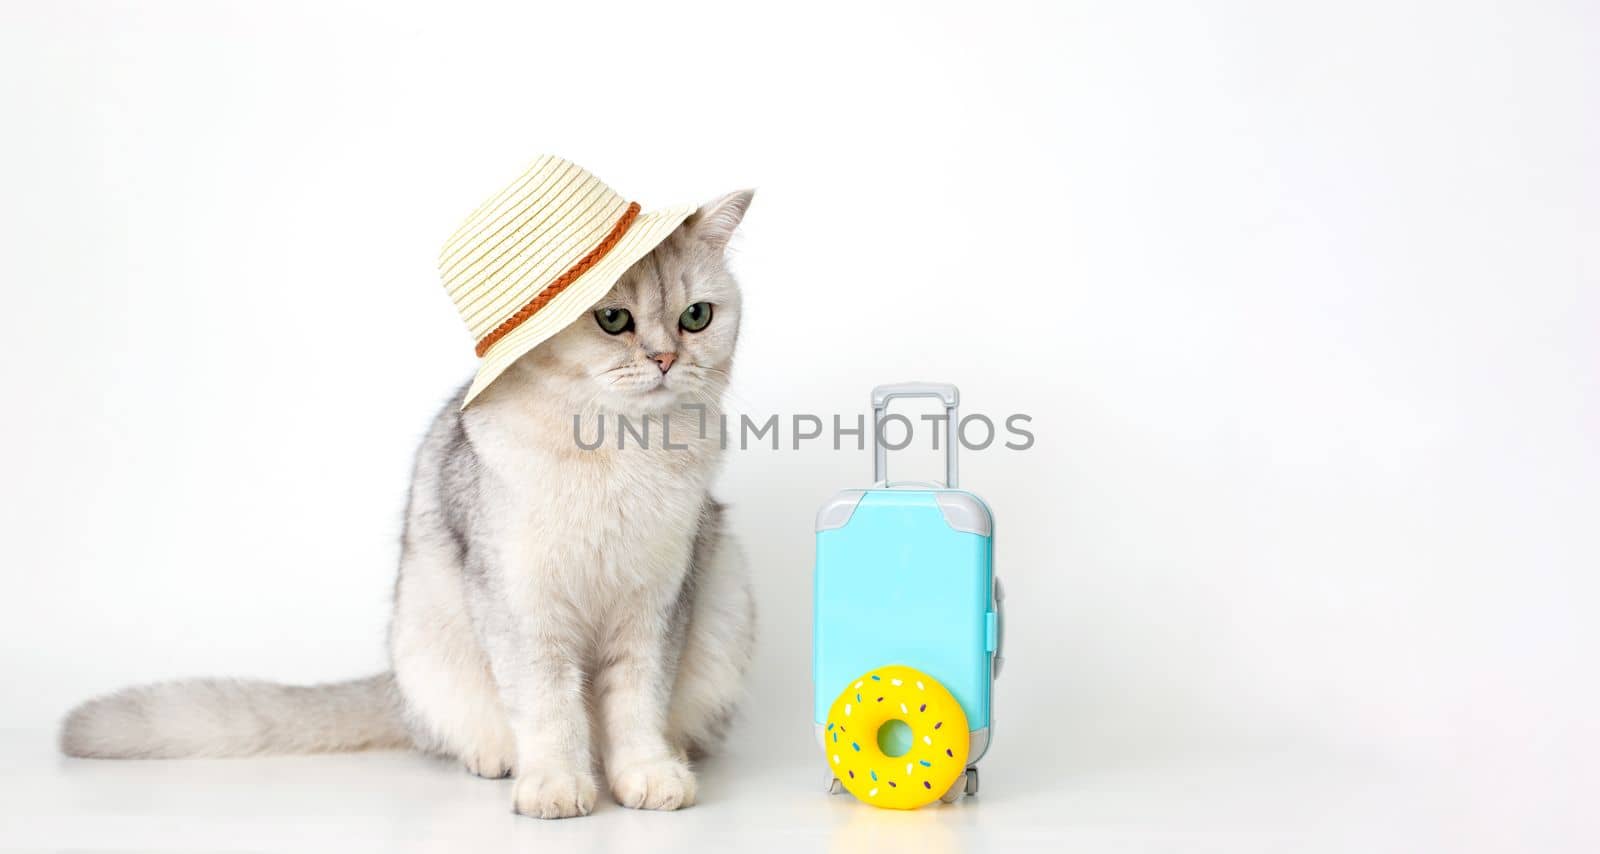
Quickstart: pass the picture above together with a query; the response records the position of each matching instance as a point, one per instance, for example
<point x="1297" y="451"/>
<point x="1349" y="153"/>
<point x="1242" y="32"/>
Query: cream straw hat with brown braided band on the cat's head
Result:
<point x="538" y="257"/>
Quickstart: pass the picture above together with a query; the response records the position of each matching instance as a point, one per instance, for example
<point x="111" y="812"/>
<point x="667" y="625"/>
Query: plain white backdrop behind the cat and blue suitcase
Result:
<point x="1303" y="303"/>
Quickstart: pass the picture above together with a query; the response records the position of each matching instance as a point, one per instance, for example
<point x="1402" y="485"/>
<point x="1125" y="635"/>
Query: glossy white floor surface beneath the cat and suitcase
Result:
<point x="398" y="802"/>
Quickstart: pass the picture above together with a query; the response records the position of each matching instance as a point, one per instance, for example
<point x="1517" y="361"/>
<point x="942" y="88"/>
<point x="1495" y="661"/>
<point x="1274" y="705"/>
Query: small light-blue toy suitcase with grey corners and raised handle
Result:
<point x="905" y="577"/>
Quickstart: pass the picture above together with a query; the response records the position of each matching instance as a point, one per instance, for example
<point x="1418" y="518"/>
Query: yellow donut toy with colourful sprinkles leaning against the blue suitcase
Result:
<point x="897" y="738"/>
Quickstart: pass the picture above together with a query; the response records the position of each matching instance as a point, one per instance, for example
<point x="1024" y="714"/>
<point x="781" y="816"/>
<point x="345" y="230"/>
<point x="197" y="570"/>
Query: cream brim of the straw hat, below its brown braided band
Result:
<point x="646" y="234"/>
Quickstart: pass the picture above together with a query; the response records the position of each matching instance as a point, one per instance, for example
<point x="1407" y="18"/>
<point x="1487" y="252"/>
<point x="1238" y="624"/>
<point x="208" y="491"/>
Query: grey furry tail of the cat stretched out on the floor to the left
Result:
<point x="236" y="719"/>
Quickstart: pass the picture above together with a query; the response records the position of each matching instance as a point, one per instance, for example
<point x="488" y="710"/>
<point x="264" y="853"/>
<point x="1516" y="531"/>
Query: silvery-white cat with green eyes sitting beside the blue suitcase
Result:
<point x="556" y="607"/>
